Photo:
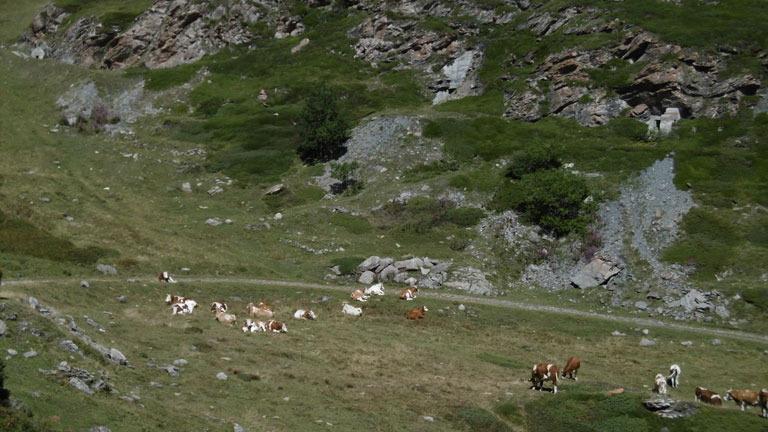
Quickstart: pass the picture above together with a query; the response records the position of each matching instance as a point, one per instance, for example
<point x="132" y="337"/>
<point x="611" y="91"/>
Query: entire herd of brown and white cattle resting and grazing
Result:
<point x="541" y="372"/>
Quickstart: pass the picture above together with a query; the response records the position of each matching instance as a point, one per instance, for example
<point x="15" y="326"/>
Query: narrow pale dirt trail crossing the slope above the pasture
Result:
<point x="644" y="322"/>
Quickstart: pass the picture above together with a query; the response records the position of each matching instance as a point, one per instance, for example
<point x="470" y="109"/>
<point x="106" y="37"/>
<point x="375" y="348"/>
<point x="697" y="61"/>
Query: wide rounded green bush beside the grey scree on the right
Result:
<point x="552" y="199"/>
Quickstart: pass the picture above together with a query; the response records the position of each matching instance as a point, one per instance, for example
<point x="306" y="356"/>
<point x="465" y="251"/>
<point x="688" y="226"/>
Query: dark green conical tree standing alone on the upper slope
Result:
<point x="321" y="127"/>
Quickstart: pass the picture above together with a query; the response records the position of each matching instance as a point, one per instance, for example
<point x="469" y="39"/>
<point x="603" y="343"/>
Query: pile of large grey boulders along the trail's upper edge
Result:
<point x="422" y="272"/>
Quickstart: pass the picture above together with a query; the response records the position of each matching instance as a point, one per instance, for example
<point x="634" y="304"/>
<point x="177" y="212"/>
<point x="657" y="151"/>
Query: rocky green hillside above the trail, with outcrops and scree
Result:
<point x="657" y="122"/>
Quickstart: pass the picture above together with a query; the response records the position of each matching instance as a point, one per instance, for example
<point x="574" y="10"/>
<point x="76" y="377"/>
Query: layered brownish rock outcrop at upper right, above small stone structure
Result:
<point x="688" y="81"/>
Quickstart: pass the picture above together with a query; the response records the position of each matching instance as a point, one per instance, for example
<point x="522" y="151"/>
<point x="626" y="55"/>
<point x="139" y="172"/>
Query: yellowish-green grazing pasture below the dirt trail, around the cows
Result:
<point x="379" y="372"/>
